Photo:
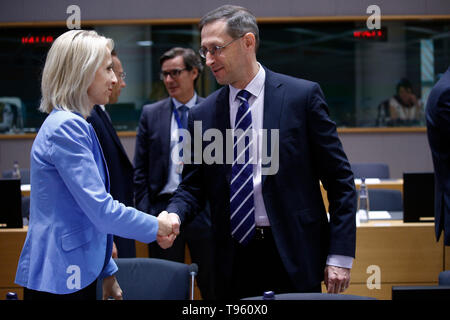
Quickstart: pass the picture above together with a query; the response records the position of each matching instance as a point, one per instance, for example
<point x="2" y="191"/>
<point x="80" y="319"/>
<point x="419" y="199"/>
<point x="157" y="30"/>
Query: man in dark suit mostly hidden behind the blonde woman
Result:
<point x="120" y="168"/>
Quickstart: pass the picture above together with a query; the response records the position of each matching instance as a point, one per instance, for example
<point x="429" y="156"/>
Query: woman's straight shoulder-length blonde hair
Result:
<point x="70" y="68"/>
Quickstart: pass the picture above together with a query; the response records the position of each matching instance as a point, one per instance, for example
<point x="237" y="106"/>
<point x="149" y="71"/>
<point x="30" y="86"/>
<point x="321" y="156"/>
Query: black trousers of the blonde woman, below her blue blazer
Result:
<point x="87" y="293"/>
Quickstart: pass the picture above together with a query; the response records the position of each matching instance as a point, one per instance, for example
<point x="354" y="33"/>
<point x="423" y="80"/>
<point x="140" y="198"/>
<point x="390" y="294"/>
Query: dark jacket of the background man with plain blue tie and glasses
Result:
<point x="151" y="158"/>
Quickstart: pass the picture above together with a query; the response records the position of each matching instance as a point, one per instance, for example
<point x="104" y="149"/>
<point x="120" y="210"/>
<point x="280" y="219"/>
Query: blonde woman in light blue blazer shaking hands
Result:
<point x="72" y="215"/>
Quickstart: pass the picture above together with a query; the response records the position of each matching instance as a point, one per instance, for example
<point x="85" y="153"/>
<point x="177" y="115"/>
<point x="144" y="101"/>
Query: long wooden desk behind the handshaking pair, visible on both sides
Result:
<point x="403" y="253"/>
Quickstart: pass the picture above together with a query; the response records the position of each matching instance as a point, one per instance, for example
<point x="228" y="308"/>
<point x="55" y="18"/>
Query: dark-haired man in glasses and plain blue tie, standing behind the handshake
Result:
<point x="157" y="173"/>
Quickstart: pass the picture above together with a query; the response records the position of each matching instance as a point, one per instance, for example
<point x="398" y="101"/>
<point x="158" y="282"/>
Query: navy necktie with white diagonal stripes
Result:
<point x="242" y="206"/>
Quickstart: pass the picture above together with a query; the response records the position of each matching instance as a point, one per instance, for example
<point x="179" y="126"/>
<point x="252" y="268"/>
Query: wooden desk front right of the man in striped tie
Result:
<point x="399" y="253"/>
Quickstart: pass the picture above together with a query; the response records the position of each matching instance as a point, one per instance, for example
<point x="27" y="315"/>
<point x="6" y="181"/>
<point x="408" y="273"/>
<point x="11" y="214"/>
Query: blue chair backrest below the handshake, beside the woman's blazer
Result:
<point x="152" y="279"/>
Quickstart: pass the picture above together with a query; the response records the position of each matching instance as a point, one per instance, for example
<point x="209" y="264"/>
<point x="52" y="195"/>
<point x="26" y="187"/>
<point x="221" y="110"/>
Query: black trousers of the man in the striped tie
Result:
<point x="258" y="268"/>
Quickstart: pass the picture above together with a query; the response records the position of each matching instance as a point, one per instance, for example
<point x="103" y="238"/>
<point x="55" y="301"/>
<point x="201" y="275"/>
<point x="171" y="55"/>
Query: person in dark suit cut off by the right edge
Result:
<point x="438" y="130"/>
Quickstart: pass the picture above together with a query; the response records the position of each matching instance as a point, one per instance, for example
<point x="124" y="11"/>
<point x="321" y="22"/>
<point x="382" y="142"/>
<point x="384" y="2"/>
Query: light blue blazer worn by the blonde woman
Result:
<point x="71" y="212"/>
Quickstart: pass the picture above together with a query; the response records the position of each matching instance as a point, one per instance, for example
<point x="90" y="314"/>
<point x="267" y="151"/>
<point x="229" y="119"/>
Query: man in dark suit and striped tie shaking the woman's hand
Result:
<point x="270" y="226"/>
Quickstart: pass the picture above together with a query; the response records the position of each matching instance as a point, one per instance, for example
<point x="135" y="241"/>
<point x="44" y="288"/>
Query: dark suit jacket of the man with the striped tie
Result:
<point x="309" y="151"/>
